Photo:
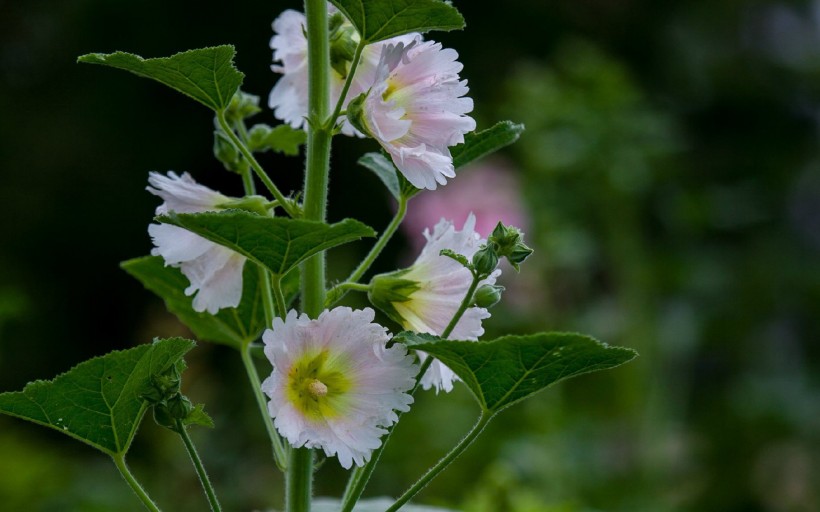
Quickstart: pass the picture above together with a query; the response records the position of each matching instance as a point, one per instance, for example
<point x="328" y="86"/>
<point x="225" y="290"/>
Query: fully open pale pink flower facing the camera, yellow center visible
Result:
<point x="335" y="385"/>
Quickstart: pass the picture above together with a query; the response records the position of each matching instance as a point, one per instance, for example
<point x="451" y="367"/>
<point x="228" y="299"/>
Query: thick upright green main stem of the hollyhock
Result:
<point x="317" y="168"/>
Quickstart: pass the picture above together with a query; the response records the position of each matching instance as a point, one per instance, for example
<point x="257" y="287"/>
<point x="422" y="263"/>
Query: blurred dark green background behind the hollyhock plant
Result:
<point x="669" y="179"/>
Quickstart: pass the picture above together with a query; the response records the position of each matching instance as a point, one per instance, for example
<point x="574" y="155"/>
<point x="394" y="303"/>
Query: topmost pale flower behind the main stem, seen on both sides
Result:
<point x="289" y="97"/>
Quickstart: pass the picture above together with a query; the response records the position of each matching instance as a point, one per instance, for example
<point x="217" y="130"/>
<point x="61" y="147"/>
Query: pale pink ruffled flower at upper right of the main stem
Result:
<point x="416" y="109"/>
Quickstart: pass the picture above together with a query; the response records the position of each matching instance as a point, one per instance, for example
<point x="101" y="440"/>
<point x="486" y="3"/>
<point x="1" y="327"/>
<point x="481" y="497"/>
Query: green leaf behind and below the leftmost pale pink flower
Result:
<point x="234" y="327"/>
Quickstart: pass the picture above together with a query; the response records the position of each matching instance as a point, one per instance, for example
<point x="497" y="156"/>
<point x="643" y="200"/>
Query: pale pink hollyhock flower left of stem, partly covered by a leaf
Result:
<point x="214" y="271"/>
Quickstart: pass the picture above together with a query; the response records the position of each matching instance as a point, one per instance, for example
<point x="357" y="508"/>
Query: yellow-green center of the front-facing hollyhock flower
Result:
<point x="317" y="386"/>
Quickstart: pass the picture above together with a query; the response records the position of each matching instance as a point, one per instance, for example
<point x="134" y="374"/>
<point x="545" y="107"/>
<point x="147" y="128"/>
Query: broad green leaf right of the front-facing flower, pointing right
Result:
<point x="506" y="370"/>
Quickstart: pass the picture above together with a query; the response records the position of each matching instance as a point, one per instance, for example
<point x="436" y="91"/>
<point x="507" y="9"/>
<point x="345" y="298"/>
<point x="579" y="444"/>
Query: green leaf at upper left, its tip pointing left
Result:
<point x="206" y="75"/>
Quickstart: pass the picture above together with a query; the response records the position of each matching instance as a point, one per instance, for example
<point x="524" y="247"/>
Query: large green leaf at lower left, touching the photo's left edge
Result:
<point x="99" y="401"/>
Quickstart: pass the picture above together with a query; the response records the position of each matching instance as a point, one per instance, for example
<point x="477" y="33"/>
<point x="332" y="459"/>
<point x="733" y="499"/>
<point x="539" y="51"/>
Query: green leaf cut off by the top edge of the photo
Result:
<point x="382" y="19"/>
